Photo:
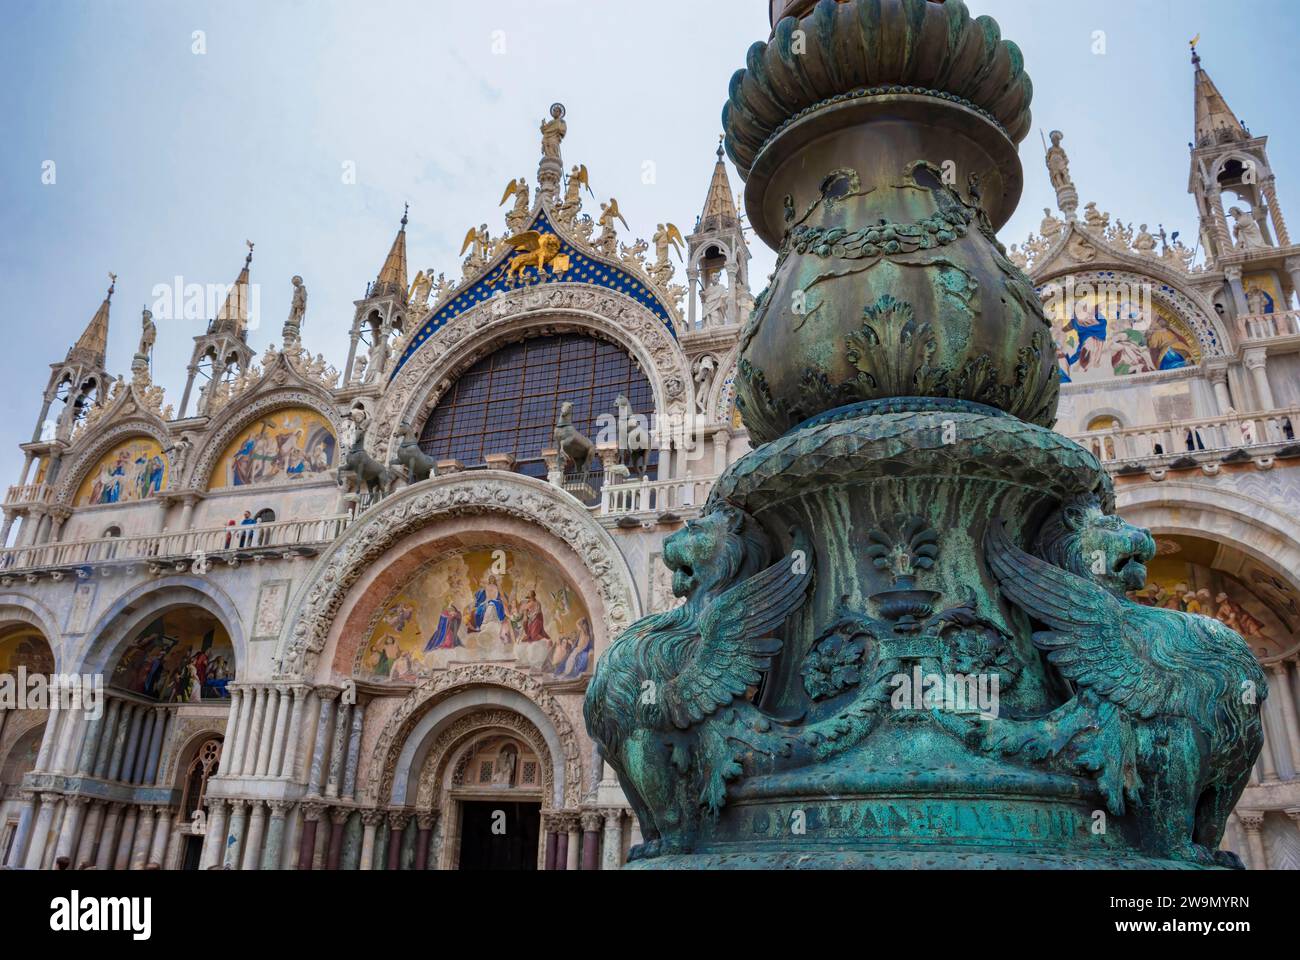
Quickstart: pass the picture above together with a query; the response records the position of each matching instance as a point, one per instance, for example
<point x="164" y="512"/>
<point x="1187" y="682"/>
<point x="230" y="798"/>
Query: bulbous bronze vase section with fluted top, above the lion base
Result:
<point x="890" y="279"/>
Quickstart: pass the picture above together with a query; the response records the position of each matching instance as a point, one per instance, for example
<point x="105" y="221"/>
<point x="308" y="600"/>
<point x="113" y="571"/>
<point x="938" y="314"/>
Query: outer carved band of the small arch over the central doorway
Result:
<point x="435" y="690"/>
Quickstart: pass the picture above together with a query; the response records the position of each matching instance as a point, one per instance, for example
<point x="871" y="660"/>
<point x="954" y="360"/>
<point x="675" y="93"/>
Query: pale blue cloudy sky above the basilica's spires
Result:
<point x="179" y="129"/>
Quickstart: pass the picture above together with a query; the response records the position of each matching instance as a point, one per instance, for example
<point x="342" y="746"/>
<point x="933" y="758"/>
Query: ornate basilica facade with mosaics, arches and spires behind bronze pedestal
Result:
<point x="345" y="619"/>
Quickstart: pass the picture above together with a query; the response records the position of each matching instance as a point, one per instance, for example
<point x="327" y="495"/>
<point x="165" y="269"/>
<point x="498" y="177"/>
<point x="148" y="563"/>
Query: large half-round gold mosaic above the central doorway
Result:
<point x="482" y="604"/>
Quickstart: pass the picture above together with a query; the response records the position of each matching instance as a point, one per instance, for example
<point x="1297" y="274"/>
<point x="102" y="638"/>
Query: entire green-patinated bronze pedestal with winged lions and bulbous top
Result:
<point x="905" y="638"/>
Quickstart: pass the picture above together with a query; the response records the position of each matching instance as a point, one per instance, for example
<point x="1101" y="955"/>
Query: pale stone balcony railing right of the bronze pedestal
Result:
<point x="1168" y="442"/>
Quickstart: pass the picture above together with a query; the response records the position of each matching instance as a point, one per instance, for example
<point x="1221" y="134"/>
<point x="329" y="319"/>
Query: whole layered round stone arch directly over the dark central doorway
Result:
<point x="435" y="719"/>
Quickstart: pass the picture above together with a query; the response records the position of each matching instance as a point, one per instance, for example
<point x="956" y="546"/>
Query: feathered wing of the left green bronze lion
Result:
<point x="736" y="643"/>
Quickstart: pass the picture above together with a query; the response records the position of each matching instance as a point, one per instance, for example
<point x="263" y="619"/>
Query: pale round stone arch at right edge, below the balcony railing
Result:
<point x="1250" y="526"/>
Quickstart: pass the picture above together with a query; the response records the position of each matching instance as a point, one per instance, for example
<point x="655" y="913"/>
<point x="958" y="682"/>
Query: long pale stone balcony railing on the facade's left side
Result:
<point x="297" y="538"/>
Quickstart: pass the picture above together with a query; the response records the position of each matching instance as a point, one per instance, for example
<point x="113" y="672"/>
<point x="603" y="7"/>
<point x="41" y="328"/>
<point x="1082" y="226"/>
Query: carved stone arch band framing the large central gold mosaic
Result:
<point x="484" y="492"/>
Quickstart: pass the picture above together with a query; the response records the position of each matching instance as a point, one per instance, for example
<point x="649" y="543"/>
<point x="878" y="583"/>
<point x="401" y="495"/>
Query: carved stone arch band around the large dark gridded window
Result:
<point x="553" y="308"/>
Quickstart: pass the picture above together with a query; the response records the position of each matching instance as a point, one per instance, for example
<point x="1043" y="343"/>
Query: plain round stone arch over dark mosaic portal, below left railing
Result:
<point x="136" y="608"/>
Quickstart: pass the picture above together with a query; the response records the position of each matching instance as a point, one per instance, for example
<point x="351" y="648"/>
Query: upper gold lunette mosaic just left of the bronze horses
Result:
<point x="287" y="446"/>
